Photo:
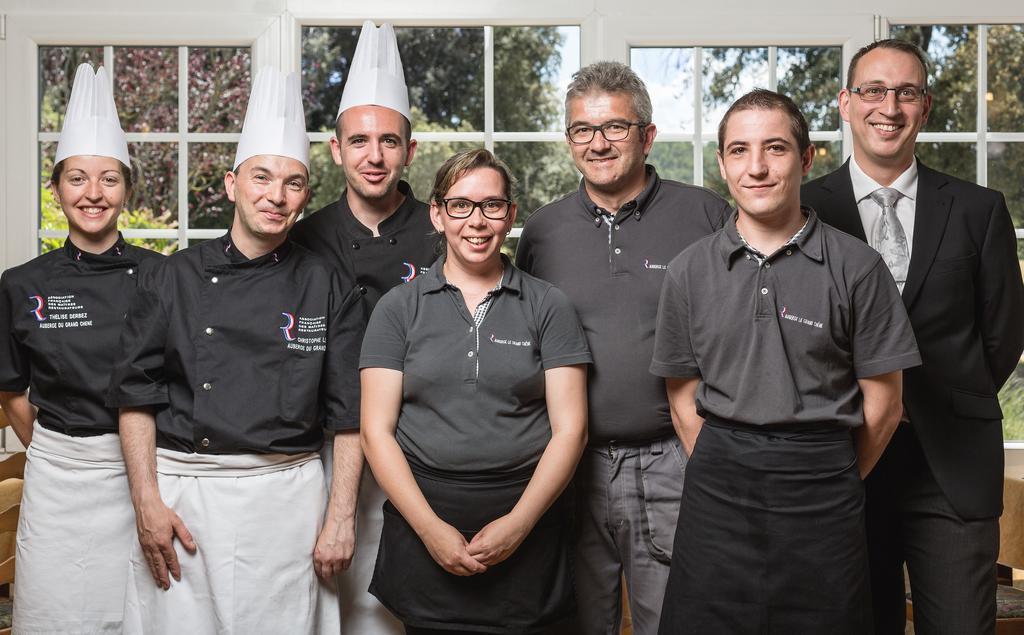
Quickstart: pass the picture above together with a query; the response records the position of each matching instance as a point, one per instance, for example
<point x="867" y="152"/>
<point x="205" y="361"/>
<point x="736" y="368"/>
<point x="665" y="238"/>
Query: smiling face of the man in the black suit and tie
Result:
<point x="885" y="133"/>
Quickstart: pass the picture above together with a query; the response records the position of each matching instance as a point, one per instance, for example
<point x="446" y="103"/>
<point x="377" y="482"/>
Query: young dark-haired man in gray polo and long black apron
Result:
<point x="783" y="342"/>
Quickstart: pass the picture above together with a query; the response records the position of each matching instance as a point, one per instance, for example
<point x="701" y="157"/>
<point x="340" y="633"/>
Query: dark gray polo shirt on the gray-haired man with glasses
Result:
<point x="612" y="267"/>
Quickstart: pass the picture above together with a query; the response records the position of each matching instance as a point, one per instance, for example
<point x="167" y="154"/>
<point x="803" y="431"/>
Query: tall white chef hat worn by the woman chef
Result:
<point x="92" y="125"/>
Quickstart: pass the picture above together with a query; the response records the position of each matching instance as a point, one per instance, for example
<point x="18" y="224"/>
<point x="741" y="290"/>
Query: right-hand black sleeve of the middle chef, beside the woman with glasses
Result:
<point x="340" y="385"/>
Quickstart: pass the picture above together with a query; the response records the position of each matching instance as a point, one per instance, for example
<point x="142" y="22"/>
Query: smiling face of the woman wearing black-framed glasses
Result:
<point x="475" y="243"/>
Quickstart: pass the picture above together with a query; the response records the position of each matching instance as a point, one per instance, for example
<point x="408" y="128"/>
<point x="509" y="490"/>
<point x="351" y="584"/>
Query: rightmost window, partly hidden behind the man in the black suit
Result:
<point x="976" y="131"/>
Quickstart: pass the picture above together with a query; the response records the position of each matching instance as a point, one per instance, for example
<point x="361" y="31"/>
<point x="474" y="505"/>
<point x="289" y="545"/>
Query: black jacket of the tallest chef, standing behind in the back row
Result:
<point x="406" y="248"/>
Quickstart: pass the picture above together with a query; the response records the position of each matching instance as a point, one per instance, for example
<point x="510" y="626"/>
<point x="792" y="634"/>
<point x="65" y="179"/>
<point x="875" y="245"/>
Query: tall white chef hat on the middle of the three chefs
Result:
<point x="275" y="122"/>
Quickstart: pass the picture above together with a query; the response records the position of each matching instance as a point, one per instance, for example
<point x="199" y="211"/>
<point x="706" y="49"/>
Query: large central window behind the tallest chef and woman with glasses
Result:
<point x="499" y="88"/>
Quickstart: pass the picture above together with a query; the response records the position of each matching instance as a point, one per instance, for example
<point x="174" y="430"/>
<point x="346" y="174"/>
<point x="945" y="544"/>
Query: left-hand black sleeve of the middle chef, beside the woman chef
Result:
<point x="139" y="377"/>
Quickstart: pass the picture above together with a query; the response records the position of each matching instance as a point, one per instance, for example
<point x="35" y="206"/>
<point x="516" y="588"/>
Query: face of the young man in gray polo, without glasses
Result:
<point x="762" y="164"/>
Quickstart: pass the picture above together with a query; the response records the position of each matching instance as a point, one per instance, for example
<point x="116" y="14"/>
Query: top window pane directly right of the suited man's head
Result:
<point x="953" y="52"/>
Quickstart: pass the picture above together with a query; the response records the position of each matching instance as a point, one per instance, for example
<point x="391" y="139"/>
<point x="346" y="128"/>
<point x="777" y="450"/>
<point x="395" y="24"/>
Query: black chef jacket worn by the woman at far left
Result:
<point x="62" y="316"/>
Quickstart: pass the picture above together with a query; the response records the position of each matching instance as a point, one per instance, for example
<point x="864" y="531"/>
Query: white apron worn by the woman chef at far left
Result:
<point x="75" y="532"/>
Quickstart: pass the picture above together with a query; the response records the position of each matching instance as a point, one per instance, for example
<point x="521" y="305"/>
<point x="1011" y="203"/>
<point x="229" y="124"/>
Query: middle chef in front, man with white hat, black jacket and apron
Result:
<point x="238" y="356"/>
